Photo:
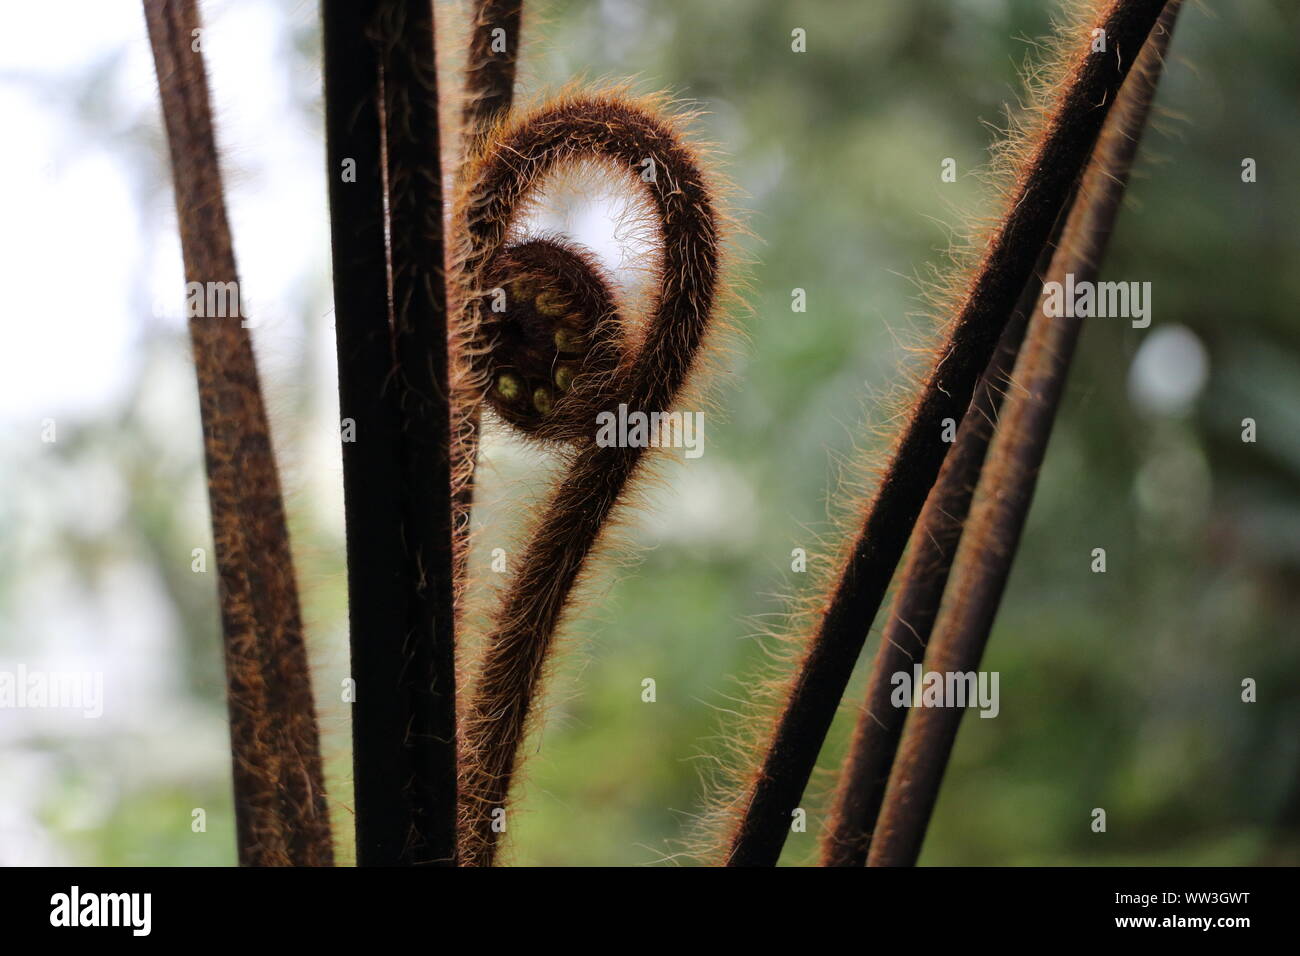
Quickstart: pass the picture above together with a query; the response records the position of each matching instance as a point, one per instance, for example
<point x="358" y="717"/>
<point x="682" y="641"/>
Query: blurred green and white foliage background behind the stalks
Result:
<point x="1119" y="690"/>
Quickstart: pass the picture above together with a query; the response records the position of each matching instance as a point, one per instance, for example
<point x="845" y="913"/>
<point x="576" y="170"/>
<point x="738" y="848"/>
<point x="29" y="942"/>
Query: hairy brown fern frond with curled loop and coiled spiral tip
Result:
<point x="556" y="360"/>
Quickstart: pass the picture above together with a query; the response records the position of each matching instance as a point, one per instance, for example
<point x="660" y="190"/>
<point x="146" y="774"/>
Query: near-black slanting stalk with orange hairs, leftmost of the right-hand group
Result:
<point x="1043" y="187"/>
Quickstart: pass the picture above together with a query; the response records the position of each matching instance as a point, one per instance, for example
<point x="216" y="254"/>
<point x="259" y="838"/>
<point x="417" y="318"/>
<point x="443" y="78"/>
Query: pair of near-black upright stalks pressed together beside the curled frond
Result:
<point x="383" y="113"/>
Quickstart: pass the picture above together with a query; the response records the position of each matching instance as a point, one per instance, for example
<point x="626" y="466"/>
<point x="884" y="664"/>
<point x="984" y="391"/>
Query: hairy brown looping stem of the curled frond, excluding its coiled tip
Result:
<point x="623" y="135"/>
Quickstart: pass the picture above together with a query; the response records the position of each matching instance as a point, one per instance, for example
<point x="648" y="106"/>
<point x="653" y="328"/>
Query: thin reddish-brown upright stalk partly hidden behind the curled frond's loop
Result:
<point x="489" y="92"/>
